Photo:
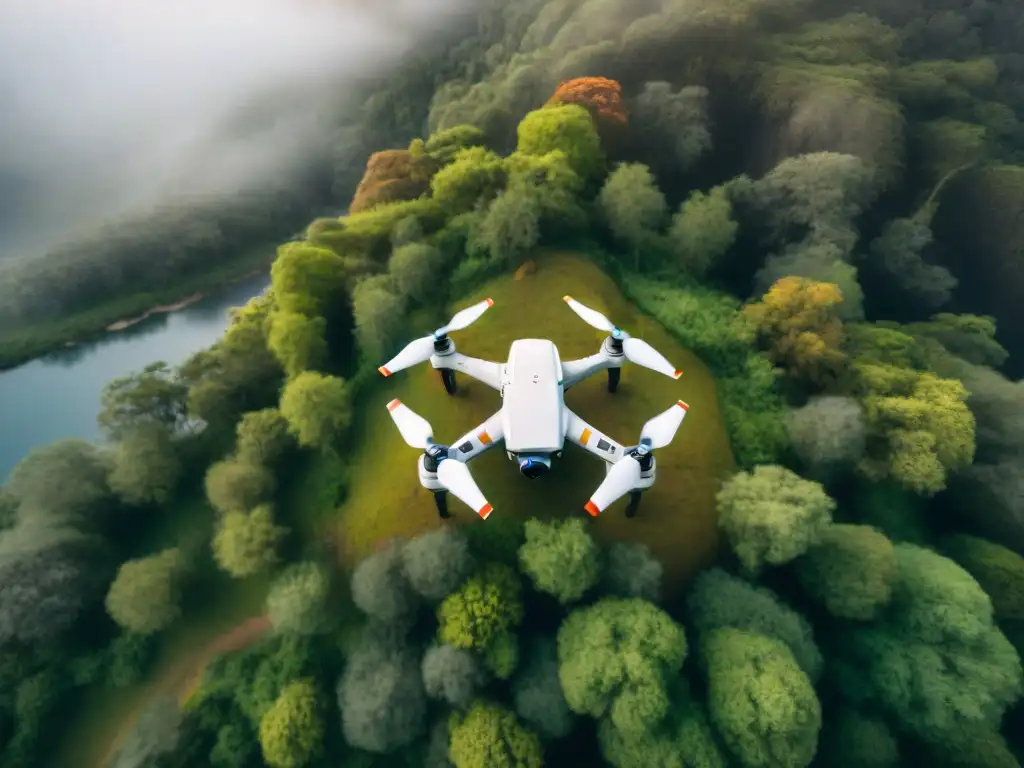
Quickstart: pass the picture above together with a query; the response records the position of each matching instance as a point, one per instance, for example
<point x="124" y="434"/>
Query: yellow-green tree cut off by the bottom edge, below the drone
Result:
<point x="491" y="737"/>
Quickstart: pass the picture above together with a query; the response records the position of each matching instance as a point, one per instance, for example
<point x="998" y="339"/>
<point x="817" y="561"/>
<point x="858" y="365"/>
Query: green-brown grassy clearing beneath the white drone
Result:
<point x="676" y="519"/>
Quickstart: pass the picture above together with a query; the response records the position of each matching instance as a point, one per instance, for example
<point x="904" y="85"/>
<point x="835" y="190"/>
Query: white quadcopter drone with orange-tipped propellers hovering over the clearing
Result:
<point x="534" y="421"/>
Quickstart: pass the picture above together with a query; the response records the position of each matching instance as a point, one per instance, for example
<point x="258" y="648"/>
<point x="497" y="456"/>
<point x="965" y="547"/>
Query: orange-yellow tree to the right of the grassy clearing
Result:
<point x="798" y="321"/>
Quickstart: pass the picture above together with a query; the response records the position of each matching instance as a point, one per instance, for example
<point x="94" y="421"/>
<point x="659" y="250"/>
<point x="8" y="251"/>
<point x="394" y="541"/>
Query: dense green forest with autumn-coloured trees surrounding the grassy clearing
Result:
<point x="823" y="201"/>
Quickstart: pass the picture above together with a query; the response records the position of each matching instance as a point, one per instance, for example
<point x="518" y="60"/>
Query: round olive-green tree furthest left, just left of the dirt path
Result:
<point x="146" y="466"/>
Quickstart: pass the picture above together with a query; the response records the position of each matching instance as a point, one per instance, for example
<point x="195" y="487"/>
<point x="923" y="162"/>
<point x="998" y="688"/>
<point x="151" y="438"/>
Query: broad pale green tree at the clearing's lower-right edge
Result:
<point x="773" y="516"/>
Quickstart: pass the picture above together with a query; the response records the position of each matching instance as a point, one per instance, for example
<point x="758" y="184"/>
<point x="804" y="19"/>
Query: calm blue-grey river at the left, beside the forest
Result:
<point x="58" y="396"/>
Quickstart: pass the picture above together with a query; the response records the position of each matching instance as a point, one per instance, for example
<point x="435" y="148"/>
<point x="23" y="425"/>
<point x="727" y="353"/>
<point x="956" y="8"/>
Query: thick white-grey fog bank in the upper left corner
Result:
<point x="109" y="106"/>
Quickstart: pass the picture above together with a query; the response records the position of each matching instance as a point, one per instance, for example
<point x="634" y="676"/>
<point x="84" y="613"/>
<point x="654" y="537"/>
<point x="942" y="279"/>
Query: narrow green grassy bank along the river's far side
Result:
<point x="21" y="346"/>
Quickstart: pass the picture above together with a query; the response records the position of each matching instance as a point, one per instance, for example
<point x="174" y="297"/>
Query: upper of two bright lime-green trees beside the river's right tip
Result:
<point x="307" y="280"/>
